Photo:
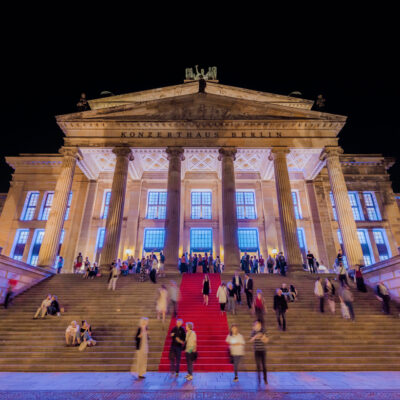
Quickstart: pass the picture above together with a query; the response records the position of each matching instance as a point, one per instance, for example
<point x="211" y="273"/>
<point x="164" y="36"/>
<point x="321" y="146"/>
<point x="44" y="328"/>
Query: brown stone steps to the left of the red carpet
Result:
<point x="39" y="345"/>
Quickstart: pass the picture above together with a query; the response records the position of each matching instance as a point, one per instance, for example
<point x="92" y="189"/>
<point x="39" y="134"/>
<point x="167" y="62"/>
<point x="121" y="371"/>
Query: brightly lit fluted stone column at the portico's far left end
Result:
<point x="54" y="225"/>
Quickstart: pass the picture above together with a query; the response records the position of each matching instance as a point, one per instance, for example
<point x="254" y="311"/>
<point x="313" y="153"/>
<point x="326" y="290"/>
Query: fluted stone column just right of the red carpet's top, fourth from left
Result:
<point x="229" y="216"/>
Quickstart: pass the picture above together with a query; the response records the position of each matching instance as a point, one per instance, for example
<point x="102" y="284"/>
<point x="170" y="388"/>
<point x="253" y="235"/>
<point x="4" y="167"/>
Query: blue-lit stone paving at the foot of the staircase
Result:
<point x="123" y="386"/>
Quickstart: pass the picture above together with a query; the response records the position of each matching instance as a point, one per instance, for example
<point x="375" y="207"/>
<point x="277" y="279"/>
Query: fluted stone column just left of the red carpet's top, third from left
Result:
<point x="173" y="214"/>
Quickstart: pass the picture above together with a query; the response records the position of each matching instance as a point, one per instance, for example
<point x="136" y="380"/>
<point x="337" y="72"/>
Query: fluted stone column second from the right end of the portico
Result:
<point x="286" y="210"/>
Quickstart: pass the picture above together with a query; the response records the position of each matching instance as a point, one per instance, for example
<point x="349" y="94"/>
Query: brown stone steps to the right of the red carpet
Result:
<point x="322" y="342"/>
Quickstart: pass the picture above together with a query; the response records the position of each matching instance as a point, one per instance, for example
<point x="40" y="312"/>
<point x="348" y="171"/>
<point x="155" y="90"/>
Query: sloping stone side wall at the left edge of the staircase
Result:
<point x="23" y="274"/>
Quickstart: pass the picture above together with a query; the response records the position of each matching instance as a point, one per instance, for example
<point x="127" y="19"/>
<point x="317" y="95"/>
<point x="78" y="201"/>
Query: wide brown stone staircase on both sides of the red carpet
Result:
<point x="313" y="342"/>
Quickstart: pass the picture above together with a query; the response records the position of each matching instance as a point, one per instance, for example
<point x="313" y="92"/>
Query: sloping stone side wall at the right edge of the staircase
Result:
<point x="388" y="272"/>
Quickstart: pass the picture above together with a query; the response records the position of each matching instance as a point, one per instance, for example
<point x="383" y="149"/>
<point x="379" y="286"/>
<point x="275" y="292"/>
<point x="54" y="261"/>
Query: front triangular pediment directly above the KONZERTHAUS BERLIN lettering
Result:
<point x="199" y="106"/>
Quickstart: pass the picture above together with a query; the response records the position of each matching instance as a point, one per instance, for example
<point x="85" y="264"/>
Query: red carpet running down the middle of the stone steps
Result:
<point x="210" y="326"/>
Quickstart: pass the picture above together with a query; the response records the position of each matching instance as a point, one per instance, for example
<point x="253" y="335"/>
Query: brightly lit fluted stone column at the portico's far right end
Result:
<point x="347" y="225"/>
